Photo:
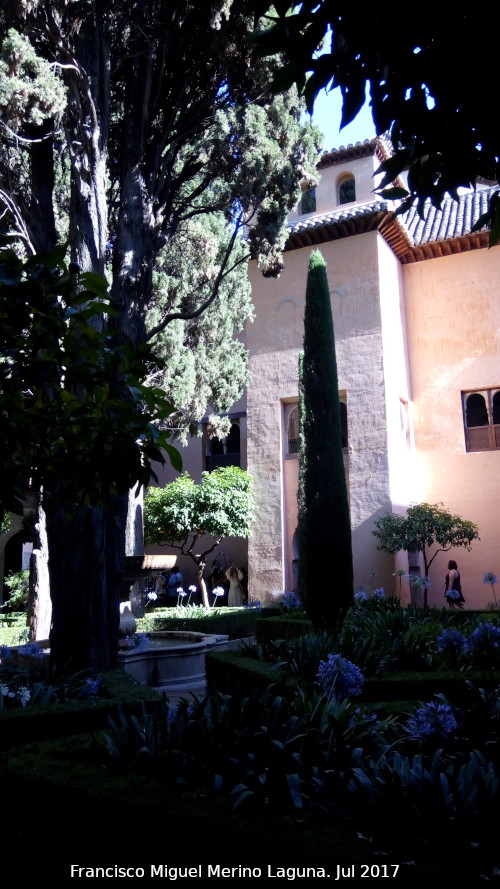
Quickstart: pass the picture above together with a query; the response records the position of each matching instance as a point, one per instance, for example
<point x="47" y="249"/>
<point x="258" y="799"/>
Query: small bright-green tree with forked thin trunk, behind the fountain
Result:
<point x="183" y="512"/>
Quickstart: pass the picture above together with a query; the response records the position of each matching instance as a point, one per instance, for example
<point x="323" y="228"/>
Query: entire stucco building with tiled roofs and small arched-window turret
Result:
<point x="417" y="324"/>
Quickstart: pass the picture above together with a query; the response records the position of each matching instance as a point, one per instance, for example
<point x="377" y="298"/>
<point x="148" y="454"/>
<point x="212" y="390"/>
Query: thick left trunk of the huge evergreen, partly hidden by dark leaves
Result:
<point x="87" y="544"/>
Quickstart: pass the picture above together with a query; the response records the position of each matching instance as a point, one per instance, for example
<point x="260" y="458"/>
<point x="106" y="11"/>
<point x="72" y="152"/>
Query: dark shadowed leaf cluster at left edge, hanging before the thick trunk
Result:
<point x="74" y="414"/>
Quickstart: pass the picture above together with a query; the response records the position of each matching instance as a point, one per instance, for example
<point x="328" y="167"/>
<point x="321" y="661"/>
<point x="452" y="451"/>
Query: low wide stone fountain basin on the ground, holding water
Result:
<point x="174" y="660"/>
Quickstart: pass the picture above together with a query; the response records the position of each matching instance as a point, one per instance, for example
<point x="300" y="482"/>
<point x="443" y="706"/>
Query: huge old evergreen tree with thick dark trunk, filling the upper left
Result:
<point x="139" y="119"/>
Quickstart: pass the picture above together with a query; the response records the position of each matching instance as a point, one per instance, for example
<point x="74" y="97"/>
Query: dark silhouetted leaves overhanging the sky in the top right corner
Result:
<point x="421" y="91"/>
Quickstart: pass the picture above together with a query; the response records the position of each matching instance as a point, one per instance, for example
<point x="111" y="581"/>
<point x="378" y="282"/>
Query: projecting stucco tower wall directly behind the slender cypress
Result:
<point x="364" y="280"/>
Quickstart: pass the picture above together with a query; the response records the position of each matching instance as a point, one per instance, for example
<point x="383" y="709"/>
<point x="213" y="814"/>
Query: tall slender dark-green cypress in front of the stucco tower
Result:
<point x="324" y="528"/>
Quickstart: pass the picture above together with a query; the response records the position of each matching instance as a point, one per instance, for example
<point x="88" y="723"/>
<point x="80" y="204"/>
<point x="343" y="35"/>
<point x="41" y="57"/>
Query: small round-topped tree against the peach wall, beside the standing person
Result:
<point x="423" y="527"/>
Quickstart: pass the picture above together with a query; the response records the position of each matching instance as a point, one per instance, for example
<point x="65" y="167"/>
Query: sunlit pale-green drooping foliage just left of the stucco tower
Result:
<point x="201" y="360"/>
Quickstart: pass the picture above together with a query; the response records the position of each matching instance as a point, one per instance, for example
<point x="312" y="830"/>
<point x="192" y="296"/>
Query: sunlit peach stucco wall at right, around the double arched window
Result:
<point x="453" y="315"/>
